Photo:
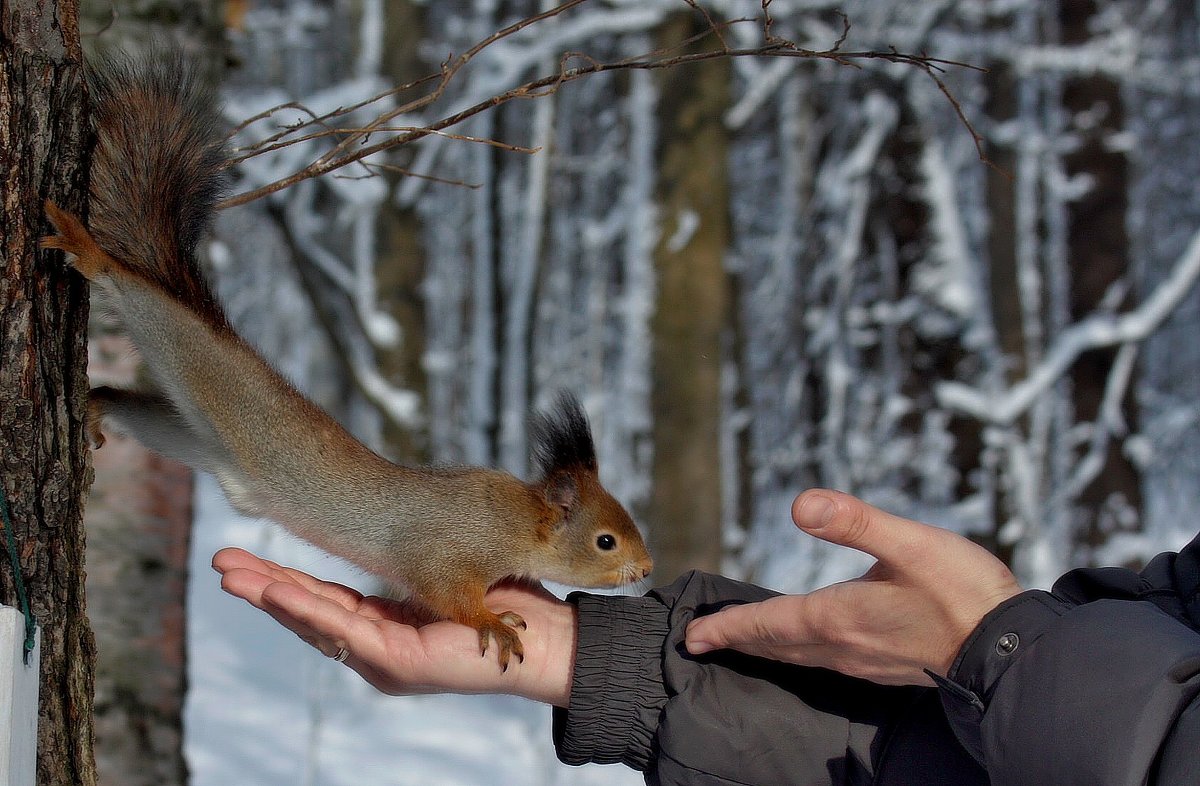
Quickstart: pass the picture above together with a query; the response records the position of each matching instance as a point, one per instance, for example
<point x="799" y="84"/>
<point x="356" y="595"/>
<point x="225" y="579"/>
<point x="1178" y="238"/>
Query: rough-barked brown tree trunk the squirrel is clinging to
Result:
<point x="44" y="461"/>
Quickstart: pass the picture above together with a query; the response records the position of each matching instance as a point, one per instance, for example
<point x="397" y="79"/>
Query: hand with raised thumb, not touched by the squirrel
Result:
<point x="910" y="613"/>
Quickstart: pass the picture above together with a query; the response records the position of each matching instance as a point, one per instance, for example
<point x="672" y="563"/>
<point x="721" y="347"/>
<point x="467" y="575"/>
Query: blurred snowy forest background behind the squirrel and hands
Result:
<point x="761" y="275"/>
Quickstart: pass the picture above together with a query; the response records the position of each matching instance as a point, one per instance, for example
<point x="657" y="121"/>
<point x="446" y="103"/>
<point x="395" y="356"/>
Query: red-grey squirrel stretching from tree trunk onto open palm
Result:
<point x="445" y="533"/>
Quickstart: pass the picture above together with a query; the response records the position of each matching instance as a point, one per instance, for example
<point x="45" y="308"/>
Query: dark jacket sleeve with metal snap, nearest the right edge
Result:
<point x="1095" y="682"/>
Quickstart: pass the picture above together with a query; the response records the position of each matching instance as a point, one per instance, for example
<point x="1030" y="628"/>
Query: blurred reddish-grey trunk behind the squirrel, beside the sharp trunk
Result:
<point x="140" y="515"/>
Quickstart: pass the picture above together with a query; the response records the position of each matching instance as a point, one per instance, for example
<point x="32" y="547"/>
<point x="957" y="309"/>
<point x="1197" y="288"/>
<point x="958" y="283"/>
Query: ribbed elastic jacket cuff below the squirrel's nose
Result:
<point x="617" y="689"/>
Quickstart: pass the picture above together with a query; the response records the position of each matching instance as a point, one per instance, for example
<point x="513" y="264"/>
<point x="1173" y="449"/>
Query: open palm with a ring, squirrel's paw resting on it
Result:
<point x="395" y="647"/>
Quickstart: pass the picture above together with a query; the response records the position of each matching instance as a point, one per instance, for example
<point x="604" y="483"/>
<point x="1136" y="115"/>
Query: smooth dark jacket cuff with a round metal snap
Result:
<point x="997" y="644"/>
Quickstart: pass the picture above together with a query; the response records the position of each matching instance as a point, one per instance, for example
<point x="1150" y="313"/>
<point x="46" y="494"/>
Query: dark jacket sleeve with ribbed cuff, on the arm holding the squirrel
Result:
<point x="640" y="699"/>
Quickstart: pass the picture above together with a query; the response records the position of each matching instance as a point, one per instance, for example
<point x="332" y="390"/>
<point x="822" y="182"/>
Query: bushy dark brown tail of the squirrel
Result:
<point x="157" y="171"/>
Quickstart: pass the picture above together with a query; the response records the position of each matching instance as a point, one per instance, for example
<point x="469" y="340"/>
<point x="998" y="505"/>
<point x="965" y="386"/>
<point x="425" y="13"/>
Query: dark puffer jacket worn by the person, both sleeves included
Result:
<point x="1095" y="683"/>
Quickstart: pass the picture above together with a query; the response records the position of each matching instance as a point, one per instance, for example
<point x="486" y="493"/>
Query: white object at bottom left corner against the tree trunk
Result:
<point x="19" y="701"/>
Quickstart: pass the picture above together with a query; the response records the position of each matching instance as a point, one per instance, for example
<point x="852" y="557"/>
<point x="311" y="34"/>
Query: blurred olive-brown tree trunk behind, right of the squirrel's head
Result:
<point x="692" y="313"/>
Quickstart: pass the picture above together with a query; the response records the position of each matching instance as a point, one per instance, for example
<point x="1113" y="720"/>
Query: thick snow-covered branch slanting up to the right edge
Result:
<point x="1094" y="333"/>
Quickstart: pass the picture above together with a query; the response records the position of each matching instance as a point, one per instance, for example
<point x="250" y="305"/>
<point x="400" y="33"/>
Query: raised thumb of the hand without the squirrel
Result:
<point x="841" y="519"/>
